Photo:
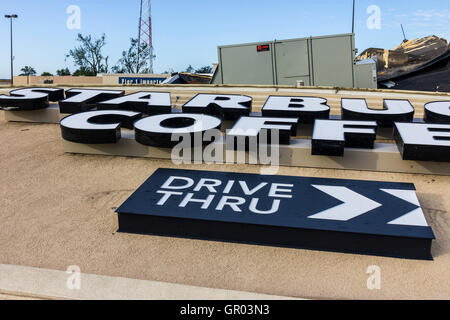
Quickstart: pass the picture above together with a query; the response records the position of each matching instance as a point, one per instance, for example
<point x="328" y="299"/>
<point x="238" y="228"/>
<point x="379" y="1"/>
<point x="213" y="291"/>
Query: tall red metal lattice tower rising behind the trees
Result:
<point x="145" y="31"/>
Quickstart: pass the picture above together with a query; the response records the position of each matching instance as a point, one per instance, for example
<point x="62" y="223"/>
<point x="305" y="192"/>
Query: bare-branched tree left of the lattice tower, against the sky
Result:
<point x="88" y="55"/>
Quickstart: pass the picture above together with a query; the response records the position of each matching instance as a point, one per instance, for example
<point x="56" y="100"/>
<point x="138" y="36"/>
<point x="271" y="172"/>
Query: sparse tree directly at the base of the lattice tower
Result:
<point x="133" y="61"/>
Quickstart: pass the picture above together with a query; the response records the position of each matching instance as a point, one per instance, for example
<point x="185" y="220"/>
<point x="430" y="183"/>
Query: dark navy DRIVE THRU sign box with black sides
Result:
<point x="362" y="235"/>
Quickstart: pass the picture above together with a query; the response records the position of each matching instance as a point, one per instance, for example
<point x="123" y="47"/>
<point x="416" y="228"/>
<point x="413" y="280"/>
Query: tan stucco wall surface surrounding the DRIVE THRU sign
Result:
<point x="57" y="210"/>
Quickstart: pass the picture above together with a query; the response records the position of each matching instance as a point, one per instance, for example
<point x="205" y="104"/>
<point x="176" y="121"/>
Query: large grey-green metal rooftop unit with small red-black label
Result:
<point x="313" y="61"/>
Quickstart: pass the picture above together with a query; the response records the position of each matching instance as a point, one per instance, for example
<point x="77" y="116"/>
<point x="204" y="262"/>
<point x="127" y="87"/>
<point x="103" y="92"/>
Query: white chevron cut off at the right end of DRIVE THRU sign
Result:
<point x="413" y="218"/>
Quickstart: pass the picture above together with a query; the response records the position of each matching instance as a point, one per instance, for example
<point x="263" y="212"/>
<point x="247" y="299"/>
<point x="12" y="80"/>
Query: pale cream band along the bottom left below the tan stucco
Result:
<point x="17" y="282"/>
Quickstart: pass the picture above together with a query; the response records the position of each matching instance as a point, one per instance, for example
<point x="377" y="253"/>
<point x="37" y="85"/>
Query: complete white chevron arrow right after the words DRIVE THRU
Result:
<point x="354" y="204"/>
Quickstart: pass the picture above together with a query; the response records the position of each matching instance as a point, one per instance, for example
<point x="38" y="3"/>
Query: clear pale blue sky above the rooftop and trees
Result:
<point x="188" y="32"/>
